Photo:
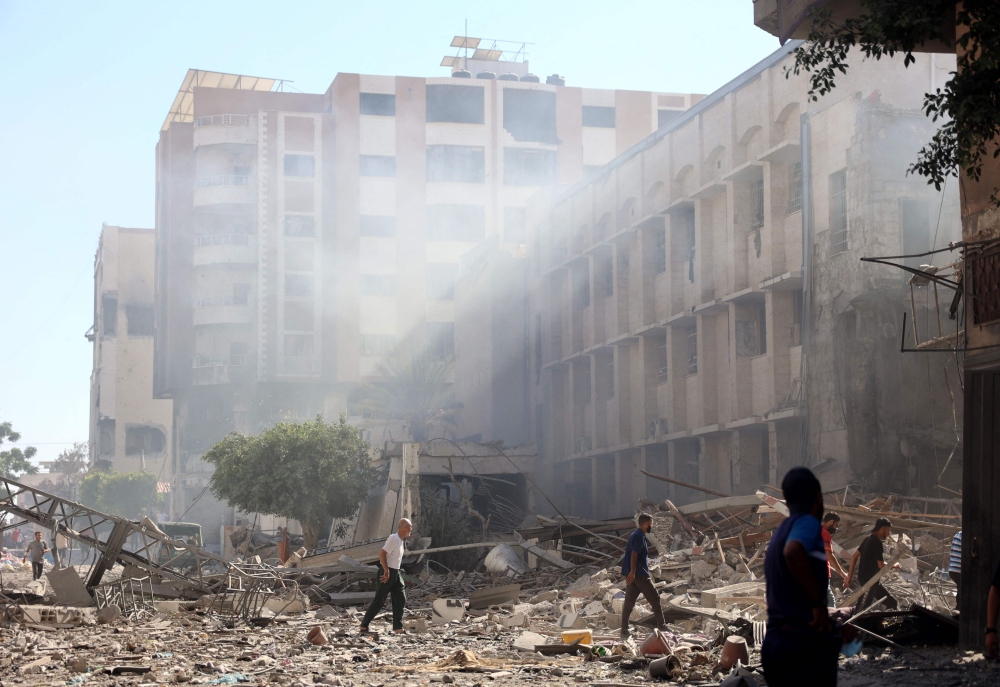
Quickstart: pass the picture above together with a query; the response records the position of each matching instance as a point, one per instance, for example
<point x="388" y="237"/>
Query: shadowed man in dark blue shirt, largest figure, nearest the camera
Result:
<point x="800" y="644"/>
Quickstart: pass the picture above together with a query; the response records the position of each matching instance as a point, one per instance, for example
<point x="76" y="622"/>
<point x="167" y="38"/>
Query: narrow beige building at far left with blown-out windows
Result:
<point x="129" y="429"/>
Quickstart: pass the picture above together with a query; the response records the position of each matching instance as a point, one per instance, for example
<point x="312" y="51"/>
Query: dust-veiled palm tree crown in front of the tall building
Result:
<point x="413" y="387"/>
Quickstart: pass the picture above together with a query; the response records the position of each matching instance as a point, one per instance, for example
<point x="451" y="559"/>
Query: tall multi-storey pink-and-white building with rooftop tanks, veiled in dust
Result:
<point x="300" y="237"/>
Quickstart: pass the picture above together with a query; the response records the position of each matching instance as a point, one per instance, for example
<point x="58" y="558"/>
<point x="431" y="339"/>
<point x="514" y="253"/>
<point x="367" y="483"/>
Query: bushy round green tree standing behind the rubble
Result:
<point x="312" y="472"/>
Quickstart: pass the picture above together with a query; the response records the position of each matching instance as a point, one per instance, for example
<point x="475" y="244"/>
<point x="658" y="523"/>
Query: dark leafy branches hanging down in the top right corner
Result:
<point x="969" y="103"/>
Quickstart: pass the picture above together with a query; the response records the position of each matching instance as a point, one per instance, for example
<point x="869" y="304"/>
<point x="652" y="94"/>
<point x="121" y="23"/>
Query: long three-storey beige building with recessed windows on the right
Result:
<point x="698" y="308"/>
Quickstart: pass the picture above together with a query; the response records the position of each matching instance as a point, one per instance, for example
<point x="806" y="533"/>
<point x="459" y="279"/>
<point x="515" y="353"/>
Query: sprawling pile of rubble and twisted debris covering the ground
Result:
<point x="546" y="600"/>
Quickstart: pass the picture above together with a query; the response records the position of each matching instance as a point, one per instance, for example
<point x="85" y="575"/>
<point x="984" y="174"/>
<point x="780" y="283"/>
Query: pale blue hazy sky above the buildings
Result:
<point x="86" y="86"/>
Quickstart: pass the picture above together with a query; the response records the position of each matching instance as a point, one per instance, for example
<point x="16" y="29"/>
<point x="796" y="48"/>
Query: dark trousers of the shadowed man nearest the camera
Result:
<point x="793" y="655"/>
